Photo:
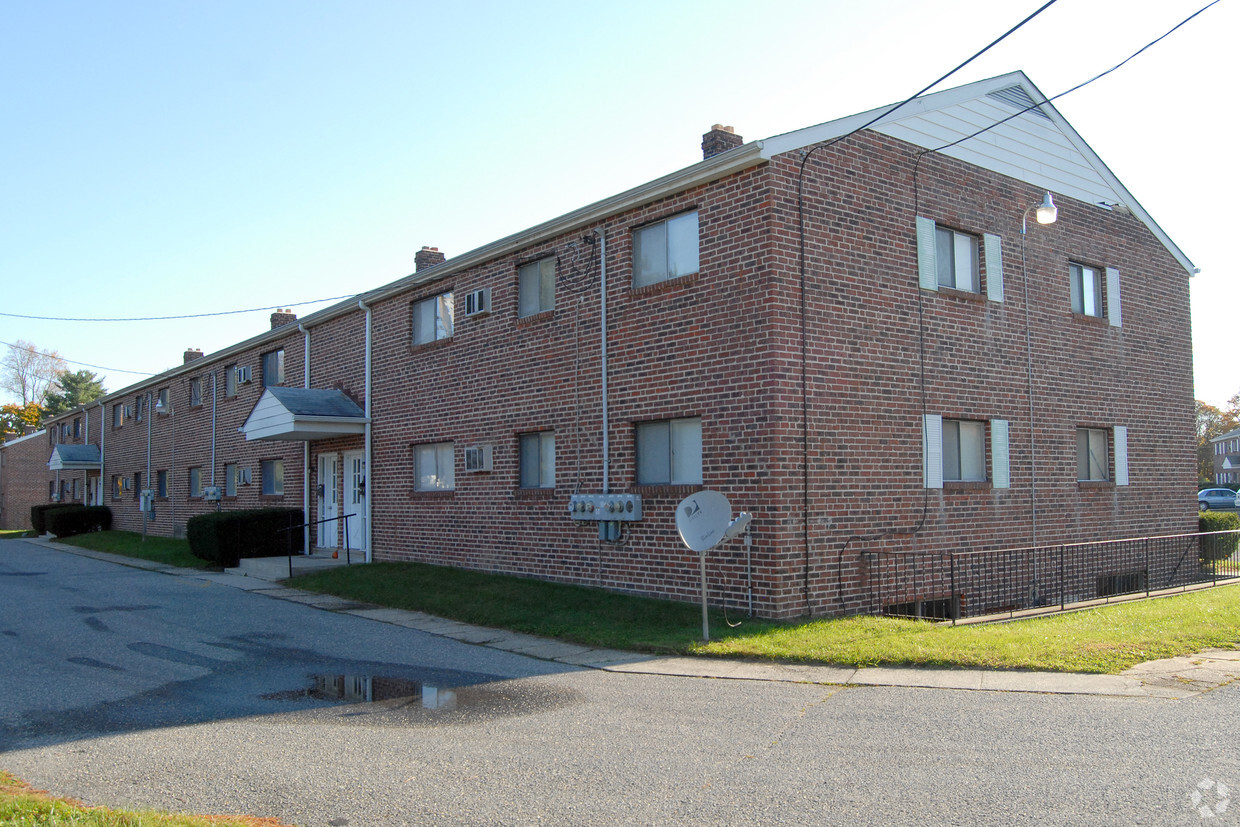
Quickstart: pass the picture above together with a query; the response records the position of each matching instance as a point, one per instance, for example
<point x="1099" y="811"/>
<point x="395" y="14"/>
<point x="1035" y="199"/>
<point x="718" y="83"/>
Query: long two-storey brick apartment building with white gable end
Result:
<point x="852" y="340"/>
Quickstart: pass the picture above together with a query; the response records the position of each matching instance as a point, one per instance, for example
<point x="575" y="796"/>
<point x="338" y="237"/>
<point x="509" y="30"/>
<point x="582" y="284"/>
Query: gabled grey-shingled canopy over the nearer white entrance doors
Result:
<point x="303" y="415"/>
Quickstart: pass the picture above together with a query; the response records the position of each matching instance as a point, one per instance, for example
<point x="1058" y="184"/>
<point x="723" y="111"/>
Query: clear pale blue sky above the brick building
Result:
<point x="173" y="158"/>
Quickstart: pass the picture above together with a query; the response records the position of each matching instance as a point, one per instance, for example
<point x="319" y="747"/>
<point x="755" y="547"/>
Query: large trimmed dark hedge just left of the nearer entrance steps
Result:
<point x="225" y="537"/>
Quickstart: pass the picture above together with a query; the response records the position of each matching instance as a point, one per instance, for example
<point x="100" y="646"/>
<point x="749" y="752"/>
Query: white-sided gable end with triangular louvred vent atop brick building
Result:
<point x="1037" y="147"/>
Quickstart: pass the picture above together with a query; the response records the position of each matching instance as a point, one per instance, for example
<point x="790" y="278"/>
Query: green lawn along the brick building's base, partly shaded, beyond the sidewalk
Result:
<point x="1103" y="640"/>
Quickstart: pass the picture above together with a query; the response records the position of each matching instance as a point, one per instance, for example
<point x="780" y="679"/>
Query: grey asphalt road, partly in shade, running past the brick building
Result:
<point x="128" y="688"/>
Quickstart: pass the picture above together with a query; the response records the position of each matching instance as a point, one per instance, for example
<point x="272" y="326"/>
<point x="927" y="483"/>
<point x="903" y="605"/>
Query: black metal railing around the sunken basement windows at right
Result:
<point x="953" y="586"/>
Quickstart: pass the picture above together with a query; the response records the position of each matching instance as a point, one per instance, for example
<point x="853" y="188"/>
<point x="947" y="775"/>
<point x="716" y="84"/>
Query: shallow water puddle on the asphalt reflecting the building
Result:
<point x="385" y="696"/>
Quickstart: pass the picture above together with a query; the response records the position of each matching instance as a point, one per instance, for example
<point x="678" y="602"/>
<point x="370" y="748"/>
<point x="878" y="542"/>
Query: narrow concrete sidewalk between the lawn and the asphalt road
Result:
<point x="1179" y="678"/>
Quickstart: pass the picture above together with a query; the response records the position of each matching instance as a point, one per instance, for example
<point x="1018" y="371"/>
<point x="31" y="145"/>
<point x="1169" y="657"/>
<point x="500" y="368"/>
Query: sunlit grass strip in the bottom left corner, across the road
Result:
<point x="22" y="805"/>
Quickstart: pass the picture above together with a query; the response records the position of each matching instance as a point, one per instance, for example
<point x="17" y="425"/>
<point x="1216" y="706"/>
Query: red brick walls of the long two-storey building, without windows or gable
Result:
<point x="726" y="345"/>
